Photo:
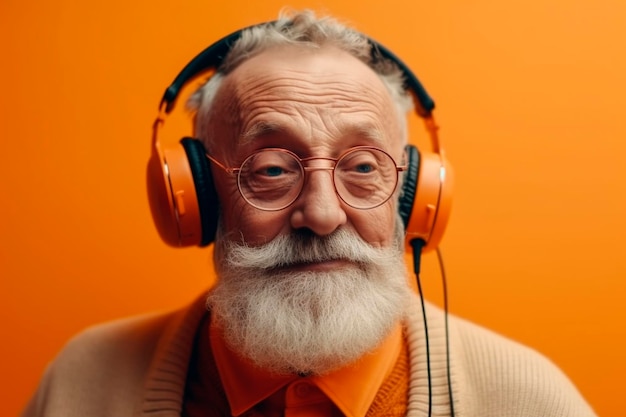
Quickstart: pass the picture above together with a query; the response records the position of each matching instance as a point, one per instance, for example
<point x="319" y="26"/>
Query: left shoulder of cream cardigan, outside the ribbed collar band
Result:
<point x="99" y="372"/>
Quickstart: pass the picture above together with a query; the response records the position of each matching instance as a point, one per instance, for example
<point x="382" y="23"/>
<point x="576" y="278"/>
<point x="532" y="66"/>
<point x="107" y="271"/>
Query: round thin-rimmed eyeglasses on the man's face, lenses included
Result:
<point x="272" y="179"/>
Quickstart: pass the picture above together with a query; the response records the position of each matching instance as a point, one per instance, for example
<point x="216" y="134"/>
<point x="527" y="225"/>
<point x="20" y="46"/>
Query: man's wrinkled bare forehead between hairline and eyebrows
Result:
<point x="326" y="89"/>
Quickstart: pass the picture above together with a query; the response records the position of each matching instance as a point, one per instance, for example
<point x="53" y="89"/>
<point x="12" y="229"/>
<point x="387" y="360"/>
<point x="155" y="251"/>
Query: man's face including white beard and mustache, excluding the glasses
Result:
<point x="316" y="285"/>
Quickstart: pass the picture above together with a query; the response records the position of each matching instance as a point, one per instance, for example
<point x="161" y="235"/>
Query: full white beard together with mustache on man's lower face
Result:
<point x="308" y="322"/>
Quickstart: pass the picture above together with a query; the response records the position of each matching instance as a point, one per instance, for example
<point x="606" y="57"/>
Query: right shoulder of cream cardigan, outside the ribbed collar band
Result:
<point x="501" y="378"/>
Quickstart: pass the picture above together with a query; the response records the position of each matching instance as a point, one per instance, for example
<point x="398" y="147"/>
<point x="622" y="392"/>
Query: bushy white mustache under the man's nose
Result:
<point x="306" y="247"/>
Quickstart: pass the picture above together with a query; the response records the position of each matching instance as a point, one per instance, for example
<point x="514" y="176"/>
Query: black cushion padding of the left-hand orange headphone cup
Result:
<point x="205" y="188"/>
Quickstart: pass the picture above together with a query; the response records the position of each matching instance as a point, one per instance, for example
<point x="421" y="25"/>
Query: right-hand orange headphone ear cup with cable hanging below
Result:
<point x="432" y="198"/>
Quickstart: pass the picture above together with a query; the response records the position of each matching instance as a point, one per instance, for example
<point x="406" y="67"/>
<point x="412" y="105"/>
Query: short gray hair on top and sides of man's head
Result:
<point x="306" y="30"/>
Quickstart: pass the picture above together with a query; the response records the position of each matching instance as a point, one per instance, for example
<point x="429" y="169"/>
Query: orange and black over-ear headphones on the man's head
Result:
<point x="183" y="200"/>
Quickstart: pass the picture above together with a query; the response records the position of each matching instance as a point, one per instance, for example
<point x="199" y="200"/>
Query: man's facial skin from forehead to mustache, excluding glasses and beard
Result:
<point x="315" y="103"/>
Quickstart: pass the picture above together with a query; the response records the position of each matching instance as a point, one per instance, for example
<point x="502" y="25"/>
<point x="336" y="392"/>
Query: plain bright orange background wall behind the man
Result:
<point x="530" y="94"/>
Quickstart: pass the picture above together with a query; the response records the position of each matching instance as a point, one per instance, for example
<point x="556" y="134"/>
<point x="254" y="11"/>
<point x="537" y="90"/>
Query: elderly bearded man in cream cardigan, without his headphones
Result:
<point x="304" y="135"/>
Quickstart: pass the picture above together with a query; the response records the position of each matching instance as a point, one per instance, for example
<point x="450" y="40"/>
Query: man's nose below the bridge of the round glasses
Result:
<point x="318" y="207"/>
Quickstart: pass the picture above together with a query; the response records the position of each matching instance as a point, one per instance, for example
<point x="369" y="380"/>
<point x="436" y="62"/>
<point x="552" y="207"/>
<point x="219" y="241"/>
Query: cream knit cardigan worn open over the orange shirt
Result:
<point x="138" y="367"/>
